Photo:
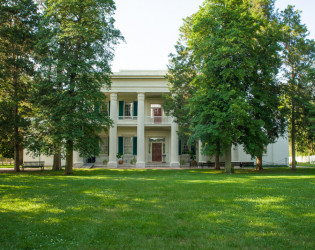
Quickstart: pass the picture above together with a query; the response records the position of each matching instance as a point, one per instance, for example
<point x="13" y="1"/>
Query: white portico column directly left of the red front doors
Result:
<point x="140" y="133"/>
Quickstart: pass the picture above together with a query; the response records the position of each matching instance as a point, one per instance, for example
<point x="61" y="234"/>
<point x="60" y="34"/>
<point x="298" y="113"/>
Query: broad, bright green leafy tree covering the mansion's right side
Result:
<point x="233" y="46"/>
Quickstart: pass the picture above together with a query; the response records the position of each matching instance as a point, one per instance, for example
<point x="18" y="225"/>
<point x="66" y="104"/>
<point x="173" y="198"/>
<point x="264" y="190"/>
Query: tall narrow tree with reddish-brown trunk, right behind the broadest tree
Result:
<point x="265" y="95"/>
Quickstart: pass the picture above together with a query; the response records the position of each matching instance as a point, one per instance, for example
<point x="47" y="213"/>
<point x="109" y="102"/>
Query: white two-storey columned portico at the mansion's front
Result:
<point x="138" y="119"/>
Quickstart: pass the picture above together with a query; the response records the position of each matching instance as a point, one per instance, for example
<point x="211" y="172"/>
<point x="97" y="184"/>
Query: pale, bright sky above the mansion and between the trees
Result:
<point x="151" y="29"/>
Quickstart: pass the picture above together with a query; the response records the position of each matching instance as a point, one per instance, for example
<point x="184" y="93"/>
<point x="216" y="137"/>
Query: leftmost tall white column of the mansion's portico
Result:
<point x="112" y="161"/>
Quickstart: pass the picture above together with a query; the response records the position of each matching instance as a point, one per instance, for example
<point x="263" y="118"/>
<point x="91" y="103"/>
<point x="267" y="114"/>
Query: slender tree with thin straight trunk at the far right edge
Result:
<point x="298" y="73"/>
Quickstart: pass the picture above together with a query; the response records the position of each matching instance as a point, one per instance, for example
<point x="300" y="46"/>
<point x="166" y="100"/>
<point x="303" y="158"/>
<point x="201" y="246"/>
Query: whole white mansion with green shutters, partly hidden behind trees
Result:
<point x="144" y="135"/>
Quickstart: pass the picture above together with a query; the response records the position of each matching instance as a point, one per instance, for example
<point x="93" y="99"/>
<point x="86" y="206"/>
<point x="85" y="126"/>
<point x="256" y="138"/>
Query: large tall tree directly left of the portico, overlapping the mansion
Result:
<point x="80" y="43"/>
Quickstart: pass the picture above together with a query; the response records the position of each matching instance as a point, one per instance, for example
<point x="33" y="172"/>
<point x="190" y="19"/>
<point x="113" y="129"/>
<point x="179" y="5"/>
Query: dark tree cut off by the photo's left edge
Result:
<point x="18" y="26"/>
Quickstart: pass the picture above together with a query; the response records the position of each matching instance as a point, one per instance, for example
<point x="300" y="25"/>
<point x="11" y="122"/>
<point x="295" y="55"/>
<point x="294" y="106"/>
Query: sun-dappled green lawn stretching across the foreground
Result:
<point x="158" y="209"/>
